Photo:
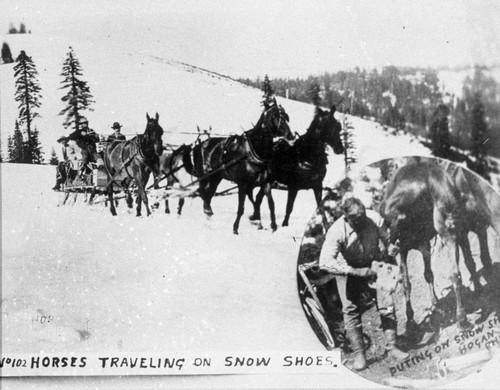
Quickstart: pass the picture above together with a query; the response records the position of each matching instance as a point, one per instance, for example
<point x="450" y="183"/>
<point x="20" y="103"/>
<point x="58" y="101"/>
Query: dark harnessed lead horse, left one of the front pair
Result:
<point x="243" y="159"/>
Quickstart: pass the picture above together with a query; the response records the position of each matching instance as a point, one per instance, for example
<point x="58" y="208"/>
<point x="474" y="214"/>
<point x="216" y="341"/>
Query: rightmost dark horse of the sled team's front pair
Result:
<point x="302" y="166"/>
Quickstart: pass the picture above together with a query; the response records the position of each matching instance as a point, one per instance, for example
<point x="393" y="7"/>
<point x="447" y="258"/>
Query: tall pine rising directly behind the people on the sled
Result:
<point x="78" y="97"/>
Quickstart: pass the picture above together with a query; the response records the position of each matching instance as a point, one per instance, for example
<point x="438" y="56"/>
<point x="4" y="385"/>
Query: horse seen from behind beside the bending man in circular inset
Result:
<point x="420" y="202"/>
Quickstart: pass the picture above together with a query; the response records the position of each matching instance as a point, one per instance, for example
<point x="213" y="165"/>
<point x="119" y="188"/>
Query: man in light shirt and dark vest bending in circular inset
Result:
<point x="351" y="245"/>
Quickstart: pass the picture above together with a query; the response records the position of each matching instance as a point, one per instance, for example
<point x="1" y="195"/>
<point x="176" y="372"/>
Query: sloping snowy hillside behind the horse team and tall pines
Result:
<point x="126" y="85"/>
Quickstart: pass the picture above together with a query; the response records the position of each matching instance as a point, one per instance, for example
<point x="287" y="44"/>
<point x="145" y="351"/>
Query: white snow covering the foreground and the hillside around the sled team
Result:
<point x="123" y="283"/>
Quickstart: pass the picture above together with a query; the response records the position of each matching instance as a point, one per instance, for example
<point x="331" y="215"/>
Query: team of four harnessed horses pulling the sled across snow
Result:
<point x="266" y="153"/>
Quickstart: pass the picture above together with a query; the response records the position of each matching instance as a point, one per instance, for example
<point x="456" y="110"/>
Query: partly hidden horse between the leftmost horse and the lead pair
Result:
<point x="172" y="168"/>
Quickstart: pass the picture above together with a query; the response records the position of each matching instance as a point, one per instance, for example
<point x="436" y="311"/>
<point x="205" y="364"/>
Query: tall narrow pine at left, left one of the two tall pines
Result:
<point x="28" y="95"/>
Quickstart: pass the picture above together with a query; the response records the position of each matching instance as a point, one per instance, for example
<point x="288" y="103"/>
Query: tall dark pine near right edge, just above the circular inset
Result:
<point x="479" y="136"/>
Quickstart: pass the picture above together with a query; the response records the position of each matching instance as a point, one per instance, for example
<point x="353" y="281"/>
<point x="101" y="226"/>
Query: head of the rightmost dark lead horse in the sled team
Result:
<point x="325" y="128"/>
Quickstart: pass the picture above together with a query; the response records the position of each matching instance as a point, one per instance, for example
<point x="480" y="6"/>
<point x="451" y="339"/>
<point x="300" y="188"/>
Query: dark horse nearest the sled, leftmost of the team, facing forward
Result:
<point x="132" y="161"/>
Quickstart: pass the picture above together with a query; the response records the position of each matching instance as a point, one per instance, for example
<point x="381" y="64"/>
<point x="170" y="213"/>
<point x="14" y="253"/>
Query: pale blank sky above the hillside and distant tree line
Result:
<point x="280" y="38"/>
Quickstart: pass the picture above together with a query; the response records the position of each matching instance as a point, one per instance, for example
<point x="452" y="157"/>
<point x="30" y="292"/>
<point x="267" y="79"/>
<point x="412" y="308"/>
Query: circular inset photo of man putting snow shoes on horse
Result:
<point x="400" y="269"/>
